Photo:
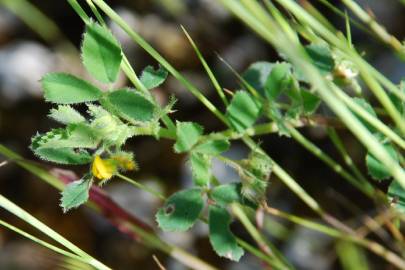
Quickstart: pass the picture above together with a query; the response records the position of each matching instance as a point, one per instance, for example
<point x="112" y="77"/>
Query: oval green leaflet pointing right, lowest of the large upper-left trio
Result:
<point x="130" y="105"/>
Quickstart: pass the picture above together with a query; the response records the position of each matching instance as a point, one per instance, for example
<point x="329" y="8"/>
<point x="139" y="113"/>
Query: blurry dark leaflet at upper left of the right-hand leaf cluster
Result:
<point x="256" y="75"/>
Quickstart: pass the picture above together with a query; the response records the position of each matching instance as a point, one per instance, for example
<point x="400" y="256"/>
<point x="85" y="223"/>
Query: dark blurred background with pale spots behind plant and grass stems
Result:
<point x="31" y="46"/>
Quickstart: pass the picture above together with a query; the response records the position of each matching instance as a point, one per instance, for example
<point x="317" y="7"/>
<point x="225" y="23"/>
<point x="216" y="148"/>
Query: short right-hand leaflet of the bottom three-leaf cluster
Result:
<point x="224" y="195"/>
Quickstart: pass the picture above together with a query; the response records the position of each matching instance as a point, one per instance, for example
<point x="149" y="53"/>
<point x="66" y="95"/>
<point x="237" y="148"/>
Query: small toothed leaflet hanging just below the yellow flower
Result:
<point x="75" y="194"/>
